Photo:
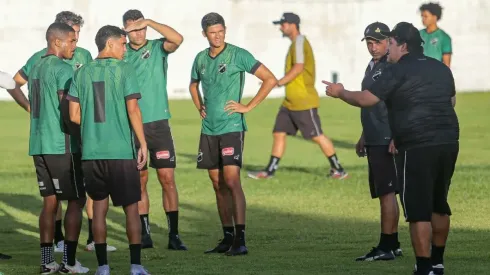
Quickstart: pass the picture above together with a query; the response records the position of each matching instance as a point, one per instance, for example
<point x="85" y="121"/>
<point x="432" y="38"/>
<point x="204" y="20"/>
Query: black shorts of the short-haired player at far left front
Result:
<point x="60" y="175"/>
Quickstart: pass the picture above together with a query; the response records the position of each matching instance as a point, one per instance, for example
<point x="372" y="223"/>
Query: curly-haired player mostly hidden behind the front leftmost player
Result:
<point x="81" y="57"/>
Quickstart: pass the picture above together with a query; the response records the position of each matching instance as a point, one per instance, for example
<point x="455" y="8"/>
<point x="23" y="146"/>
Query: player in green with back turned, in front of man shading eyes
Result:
<point x="104" y="102"/>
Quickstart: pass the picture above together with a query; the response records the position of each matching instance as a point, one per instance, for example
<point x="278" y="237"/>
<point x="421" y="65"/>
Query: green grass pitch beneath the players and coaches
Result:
<point x="300" y="222"/>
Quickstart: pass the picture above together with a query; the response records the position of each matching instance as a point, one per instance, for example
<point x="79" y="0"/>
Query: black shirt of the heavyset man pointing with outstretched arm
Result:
<point x="417" y="91"/>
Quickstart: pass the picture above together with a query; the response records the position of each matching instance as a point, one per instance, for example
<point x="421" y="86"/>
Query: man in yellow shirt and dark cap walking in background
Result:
<point x="299" y="110"/>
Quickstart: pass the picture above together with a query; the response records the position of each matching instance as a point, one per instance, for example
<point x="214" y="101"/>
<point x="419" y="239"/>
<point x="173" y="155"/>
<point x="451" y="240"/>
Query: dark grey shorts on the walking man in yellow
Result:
<point x="307" y="121"/>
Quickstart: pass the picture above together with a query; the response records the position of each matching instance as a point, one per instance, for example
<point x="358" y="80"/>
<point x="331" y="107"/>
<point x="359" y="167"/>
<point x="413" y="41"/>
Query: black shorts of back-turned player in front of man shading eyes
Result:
<point x="118" y="178"/>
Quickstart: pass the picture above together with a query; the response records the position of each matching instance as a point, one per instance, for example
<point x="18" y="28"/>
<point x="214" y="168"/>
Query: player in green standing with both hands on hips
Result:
<point x="220" y="69"/>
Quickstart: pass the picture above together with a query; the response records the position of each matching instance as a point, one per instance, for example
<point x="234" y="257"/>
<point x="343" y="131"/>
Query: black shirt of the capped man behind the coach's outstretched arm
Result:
<point x="374" y="119"/>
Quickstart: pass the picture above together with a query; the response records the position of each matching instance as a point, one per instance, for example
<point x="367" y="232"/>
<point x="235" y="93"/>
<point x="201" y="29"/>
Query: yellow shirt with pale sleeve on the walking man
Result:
<point x="301" y="93"/>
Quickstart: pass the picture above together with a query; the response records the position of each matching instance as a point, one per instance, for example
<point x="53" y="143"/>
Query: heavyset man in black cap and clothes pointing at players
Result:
<point x="419" y="93"/>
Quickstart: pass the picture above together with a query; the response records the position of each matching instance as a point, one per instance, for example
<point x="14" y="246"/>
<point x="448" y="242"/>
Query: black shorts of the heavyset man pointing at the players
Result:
<point x="426" y="174"/>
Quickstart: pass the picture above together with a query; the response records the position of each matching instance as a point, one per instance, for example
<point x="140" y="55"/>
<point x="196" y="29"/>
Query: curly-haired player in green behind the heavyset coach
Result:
<point x="437" y="43"/>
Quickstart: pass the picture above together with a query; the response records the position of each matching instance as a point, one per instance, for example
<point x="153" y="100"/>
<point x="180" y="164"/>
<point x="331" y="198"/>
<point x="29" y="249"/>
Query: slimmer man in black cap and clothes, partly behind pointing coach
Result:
<point x="376" y="142"/>
